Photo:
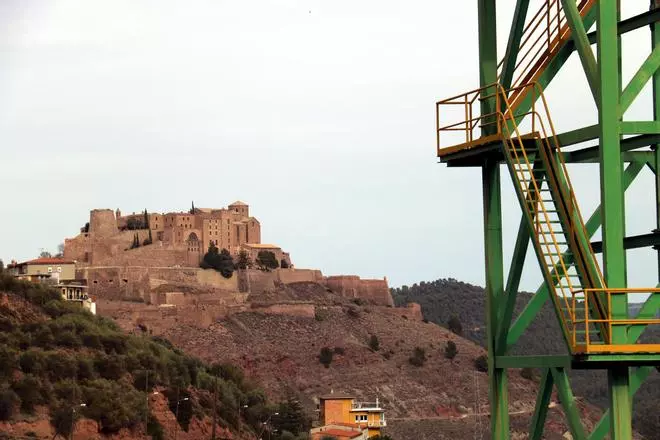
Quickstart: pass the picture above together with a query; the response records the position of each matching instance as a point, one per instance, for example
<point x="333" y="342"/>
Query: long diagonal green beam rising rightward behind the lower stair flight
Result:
<point x="542" y="295"/>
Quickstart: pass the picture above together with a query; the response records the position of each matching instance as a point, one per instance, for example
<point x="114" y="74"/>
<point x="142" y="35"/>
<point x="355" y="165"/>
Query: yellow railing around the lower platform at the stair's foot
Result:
<point x="581" y="335"/>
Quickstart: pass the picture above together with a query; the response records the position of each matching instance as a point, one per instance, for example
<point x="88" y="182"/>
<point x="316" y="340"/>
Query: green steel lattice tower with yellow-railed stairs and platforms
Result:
<point x="506" y="124"/>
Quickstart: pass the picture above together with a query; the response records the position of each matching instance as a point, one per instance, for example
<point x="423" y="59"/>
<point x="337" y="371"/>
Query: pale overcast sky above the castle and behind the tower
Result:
<point x="319" y="114"/>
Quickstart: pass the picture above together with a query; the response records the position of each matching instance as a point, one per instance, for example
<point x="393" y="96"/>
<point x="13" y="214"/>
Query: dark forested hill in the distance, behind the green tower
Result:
<point x="444" y="298"/>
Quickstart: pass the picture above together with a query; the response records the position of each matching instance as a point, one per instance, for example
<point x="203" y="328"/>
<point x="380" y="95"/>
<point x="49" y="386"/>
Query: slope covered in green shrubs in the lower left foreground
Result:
<point x="70" y="357"/>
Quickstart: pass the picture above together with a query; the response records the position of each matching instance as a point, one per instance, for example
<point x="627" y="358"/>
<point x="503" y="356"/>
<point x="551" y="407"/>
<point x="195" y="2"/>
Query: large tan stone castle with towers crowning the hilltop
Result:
<point x="166" y="240"/>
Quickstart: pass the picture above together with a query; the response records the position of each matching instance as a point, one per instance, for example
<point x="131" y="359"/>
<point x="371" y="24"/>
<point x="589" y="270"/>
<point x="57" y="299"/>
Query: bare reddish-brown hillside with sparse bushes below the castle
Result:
<point x="279" y="342"/>
